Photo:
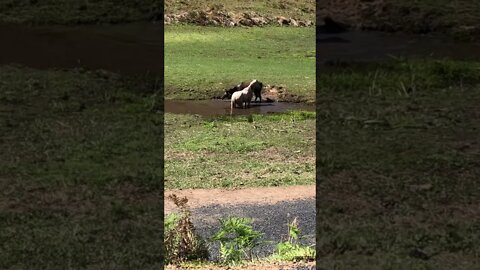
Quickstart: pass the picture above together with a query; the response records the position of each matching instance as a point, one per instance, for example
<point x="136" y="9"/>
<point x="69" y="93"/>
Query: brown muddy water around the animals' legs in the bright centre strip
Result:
<point x="222" y="107"/>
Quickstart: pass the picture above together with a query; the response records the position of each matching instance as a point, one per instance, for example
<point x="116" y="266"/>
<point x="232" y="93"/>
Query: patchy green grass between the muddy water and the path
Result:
<point x="233" y="152"/>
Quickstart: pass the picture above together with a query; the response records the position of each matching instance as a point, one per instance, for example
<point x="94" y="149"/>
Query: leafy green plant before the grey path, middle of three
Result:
<point x="237" y="239"/>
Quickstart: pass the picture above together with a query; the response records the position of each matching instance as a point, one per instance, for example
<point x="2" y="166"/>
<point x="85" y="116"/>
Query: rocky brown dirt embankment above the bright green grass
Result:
<point x="230" y="19"/>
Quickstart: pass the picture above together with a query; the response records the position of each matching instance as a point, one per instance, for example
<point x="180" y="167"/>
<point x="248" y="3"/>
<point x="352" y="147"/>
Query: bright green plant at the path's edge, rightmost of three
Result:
<point x="291" y="250"/>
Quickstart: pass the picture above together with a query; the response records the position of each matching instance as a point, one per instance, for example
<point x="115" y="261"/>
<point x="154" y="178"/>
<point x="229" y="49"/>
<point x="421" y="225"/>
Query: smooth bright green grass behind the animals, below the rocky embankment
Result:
<point x="201" y="62"/>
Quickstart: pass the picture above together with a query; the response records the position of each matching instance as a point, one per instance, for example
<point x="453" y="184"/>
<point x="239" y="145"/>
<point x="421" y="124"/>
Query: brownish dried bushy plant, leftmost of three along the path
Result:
<point x="181" y="240"/>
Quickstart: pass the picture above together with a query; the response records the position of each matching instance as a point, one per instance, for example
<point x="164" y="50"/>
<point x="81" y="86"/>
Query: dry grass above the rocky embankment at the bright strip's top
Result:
<point x="300" y="9"/>
